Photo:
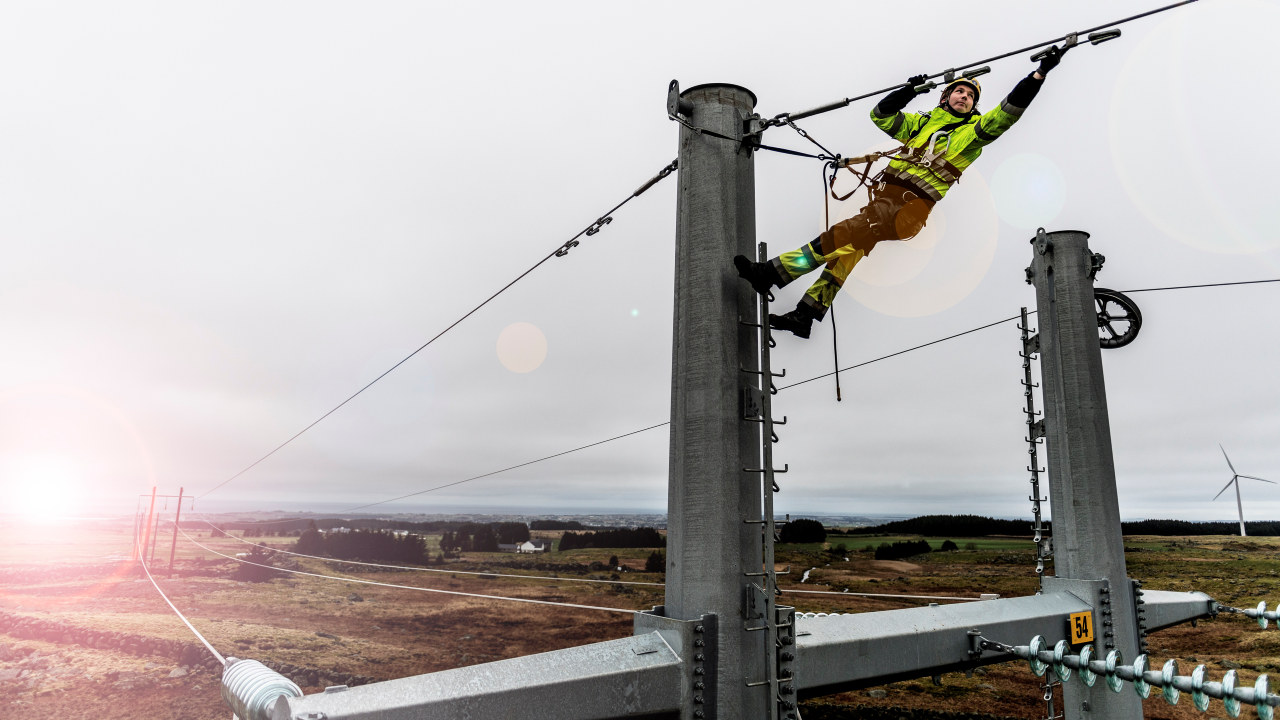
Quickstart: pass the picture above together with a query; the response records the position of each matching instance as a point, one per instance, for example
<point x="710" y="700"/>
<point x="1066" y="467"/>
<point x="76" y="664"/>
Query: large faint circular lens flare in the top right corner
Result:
<point x="1186" y="136"/>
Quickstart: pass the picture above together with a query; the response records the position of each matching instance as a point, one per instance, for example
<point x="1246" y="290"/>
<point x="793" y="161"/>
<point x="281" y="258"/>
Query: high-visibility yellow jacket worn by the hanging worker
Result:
<point x="957" y="140"/>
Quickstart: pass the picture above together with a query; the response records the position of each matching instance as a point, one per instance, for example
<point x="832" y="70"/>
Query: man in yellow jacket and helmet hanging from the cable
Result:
<point x="939" y="147"/>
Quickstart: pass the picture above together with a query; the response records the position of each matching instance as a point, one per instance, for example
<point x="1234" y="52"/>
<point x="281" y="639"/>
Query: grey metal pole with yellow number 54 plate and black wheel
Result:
<point x="1089" y="544"/>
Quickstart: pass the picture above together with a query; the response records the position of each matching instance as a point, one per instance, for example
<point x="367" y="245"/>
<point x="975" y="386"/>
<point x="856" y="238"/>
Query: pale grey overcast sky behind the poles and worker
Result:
<point x="221" y="220"/>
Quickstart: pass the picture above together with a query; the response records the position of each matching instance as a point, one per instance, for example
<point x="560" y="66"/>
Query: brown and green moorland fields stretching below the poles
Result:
<point x="81" y="577"/>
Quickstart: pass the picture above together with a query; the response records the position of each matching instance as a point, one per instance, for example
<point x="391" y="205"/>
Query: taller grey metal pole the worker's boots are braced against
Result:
<point x="710" y="546"/>
